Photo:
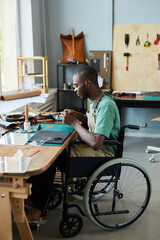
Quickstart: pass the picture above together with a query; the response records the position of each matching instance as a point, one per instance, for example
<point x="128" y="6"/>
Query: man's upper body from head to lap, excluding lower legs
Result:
<point x="102" y="120"/>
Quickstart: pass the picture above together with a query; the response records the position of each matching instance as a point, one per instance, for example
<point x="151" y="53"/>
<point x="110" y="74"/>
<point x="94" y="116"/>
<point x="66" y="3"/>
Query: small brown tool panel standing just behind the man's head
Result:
<point x="101" y="61"/>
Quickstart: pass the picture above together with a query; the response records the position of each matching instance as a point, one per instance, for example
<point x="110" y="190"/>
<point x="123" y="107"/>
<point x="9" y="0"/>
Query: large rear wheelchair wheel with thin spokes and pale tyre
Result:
<point x="125" y="202"/>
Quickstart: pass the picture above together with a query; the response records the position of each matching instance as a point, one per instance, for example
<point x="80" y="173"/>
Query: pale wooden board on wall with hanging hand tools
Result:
<point x="142" y="74"/>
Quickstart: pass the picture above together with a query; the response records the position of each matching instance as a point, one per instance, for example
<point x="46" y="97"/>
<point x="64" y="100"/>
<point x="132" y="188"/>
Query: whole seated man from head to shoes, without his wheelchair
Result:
<point x="103" y="121"/>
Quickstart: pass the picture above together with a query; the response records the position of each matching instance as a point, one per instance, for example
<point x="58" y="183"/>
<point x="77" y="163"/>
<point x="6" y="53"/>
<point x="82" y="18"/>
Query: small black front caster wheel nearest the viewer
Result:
<point x="70" y="225"/>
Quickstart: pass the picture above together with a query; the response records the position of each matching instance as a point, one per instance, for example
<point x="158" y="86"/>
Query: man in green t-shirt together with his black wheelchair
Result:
<point x="100" y="123"/>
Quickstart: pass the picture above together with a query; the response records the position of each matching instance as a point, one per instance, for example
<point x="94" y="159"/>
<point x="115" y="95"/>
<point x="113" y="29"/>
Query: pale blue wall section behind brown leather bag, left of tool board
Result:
<point x="92" y="17"/>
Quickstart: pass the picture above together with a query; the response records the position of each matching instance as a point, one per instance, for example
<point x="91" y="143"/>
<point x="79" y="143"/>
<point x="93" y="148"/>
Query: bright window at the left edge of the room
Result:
<point x="8" y="63"/>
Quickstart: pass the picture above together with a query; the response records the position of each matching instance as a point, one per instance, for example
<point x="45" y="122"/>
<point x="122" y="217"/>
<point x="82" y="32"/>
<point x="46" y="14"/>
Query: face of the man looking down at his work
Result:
<point x="80" y="87"/>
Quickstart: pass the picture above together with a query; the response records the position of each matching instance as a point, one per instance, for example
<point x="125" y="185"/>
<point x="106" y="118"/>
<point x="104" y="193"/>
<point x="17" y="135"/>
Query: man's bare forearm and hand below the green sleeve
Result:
<point x="94" y="140"/>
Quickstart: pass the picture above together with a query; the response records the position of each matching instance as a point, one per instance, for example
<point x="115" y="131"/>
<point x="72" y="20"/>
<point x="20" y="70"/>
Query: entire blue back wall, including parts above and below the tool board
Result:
<point x="95" y="19"/>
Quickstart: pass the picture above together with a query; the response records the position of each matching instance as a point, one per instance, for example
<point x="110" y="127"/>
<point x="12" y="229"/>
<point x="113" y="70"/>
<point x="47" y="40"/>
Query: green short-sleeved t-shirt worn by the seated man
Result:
<point x="107" y="119"/>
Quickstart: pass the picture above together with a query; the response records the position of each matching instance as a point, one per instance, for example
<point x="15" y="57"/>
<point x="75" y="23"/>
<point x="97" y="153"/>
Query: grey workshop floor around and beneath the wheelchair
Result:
<point x="145" y="228"/>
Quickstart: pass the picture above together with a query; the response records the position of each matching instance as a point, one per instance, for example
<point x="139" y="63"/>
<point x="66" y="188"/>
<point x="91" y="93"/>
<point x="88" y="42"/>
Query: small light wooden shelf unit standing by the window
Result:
<point x="22" y="71"/>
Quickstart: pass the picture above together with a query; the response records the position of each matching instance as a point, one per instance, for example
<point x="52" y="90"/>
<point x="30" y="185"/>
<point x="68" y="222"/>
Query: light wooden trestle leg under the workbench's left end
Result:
<point x="12" y="195"/>
